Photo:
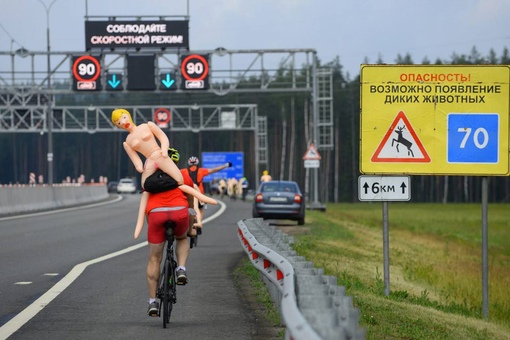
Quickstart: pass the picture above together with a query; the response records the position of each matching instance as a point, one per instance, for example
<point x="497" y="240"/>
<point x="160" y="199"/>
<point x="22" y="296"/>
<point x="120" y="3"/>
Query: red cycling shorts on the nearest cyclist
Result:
<point x="156" y="221"/>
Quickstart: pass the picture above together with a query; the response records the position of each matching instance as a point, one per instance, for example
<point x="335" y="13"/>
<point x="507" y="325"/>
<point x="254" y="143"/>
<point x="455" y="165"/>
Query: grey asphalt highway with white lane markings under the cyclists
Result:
<point x="79" y="274"/>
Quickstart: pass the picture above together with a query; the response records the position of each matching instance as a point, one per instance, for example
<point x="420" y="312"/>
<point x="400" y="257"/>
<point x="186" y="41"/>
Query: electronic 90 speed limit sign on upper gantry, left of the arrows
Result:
<point x="86" y="71"/>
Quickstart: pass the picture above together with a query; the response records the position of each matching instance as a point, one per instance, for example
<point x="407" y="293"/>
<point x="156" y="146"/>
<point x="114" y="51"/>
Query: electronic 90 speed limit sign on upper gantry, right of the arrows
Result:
<point x="195" y="72"/>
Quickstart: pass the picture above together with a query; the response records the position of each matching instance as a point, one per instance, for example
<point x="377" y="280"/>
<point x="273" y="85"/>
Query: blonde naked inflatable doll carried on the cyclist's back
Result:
<point x="142" y="139"/>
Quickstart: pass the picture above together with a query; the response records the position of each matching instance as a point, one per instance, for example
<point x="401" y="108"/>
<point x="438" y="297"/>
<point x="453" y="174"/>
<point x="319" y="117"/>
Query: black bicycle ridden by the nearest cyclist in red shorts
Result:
<point x="167" y="286"/>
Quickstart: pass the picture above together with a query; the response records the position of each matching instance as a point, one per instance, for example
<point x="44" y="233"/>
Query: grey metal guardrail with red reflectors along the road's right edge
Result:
<point x="311" y="304"/>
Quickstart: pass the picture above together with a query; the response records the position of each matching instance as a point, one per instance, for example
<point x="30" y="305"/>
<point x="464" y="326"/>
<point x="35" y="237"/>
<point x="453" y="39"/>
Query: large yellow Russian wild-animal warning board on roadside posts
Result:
<point x="435" y="119"/>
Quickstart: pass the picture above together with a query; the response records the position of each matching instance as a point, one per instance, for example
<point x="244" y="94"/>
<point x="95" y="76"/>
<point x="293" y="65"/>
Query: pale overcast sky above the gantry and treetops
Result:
<point x="351" y="29"/>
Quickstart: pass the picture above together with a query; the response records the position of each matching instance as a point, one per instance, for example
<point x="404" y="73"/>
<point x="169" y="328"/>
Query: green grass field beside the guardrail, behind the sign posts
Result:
<point x="435" y="267"/>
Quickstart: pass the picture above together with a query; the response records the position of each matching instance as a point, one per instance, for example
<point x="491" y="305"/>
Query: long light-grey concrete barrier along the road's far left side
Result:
<point x="25" y="199"/>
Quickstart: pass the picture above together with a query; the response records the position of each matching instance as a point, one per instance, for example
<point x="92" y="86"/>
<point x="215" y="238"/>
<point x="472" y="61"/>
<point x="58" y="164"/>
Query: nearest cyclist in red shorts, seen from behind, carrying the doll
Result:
<point x="169" y="205"/>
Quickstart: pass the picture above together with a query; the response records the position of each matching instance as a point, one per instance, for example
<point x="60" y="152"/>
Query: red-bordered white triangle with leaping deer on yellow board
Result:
<point x="401" y="144"/>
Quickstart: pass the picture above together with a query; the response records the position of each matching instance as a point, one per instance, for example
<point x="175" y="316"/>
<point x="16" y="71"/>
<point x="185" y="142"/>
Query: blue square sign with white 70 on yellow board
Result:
<point x="473" y="138"/>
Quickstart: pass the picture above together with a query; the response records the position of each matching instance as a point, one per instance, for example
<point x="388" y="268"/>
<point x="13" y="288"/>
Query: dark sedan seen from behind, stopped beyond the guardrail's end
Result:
<point x="279" y="200"/>
